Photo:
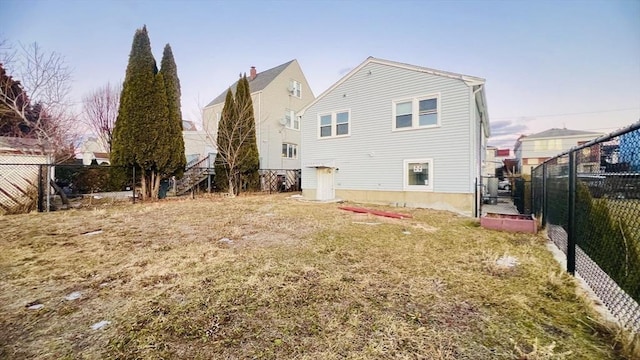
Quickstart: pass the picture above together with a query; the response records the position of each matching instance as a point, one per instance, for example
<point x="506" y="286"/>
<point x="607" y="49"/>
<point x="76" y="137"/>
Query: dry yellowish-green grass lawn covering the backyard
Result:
<point x="299" y="280"/>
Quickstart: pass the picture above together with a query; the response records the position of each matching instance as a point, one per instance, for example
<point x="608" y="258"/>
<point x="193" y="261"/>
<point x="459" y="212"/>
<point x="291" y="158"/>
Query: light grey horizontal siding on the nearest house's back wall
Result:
<point x="371" y="158"/>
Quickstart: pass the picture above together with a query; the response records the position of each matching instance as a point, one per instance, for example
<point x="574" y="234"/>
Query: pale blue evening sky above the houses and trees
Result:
<point x="547" y="64"/>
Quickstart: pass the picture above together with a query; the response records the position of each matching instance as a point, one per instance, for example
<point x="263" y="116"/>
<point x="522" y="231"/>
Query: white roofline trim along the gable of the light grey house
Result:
<point x="468" y="80"/>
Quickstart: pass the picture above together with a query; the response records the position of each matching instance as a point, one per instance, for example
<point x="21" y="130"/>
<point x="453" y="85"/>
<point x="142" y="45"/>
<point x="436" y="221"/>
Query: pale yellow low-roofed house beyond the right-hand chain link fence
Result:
<point x="533" y="150"/>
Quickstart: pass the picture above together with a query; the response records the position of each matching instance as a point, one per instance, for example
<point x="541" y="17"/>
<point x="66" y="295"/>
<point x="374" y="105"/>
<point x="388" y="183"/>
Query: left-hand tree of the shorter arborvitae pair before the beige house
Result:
<point x="224" y="144"/>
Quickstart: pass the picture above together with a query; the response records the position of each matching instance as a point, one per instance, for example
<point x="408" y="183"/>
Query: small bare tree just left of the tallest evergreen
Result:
<point x="100" y="110"/>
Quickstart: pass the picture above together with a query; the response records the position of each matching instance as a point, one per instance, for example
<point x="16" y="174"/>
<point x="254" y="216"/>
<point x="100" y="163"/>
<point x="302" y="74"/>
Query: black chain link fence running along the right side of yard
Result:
<point x="589" y="201"/>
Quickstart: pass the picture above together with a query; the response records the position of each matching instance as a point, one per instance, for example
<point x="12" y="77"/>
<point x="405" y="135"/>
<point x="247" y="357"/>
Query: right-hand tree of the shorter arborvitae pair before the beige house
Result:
<point x="249" y="157"/>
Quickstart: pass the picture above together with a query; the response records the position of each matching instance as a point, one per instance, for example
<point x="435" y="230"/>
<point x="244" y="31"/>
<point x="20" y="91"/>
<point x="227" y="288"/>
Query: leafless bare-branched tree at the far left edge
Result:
<point x="35" y="97"/>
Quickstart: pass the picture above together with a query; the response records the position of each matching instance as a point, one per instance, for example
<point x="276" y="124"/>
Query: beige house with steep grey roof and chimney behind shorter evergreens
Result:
<point x="277" y="95"/>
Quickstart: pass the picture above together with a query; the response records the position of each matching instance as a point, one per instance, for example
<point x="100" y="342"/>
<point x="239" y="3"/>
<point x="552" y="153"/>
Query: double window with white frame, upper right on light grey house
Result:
<point x="415" y="113"/>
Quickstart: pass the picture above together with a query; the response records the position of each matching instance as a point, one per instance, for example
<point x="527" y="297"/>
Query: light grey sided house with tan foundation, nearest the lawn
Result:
<point x="389" y="132"/>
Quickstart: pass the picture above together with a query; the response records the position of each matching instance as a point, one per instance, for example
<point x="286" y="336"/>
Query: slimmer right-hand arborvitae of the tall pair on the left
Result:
<point x="173" y="141"/>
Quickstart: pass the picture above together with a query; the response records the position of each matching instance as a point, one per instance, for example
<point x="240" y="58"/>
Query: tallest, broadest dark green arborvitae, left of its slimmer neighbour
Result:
<point x="143" y="106"/>
